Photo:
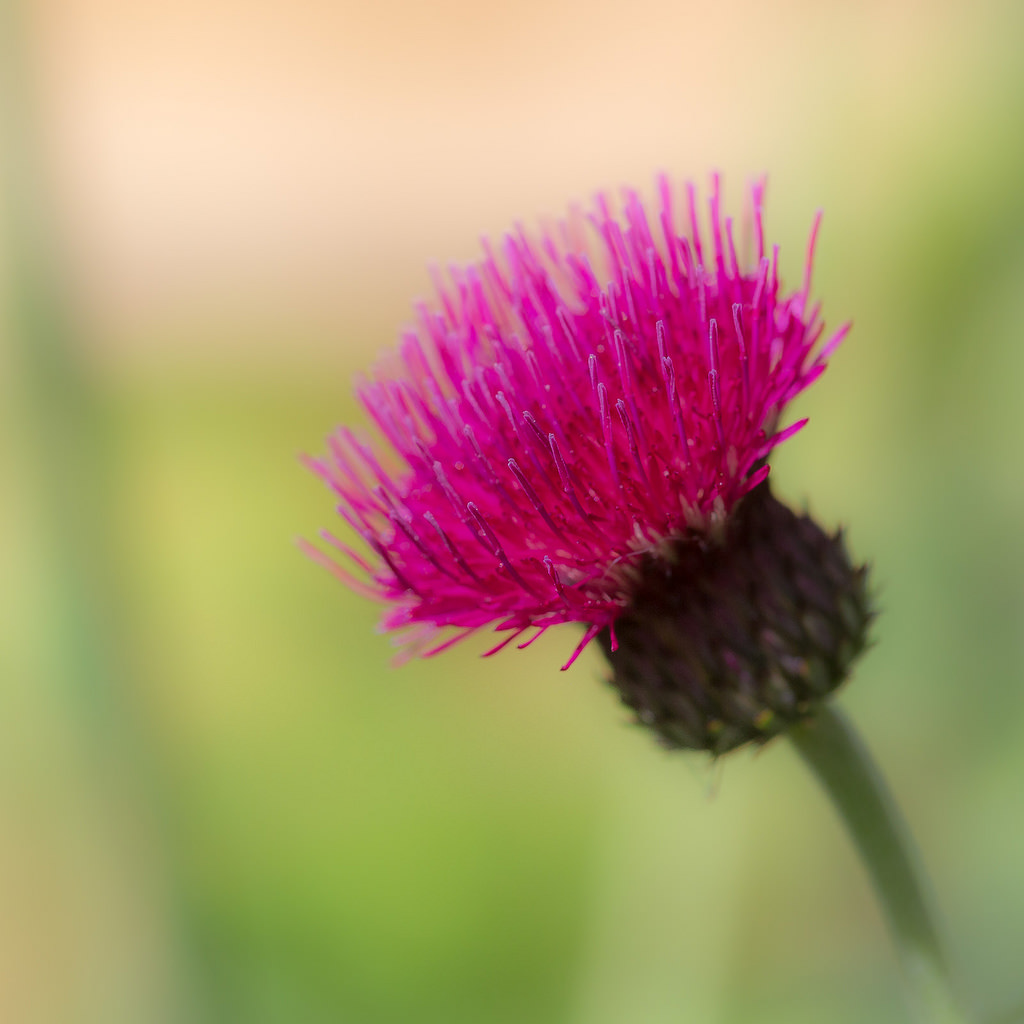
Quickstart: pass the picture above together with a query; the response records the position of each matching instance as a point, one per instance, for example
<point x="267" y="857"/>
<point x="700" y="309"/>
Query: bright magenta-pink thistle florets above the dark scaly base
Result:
<point x="570" y="406"/>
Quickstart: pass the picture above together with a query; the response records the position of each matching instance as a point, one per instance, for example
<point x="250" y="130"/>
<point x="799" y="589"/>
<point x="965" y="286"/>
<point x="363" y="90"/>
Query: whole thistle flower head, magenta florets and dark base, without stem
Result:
<point x="571" y="434"/>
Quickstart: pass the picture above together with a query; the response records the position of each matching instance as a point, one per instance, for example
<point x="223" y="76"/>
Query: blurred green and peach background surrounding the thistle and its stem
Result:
<point x="219" y="802"/>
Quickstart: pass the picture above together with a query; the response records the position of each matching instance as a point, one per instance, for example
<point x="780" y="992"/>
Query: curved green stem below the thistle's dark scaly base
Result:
<point x="846" y="771"/>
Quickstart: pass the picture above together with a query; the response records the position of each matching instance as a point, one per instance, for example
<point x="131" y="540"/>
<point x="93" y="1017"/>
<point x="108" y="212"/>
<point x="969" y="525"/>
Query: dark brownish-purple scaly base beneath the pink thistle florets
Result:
<point x="733" y="643"/>
